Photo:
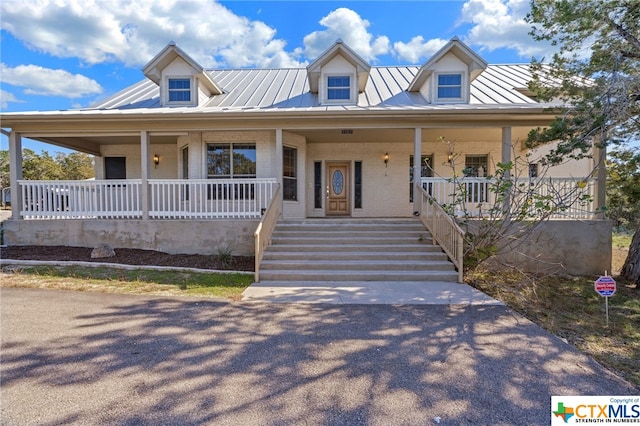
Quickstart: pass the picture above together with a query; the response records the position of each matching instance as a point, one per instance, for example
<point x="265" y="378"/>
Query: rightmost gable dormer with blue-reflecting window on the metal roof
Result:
<point x="446" y="77"/>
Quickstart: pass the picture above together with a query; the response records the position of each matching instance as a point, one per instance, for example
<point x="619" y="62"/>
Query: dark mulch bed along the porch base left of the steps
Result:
<point x="126" y="256"/>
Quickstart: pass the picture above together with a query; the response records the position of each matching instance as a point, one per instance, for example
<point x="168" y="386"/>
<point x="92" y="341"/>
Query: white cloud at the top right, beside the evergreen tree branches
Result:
<point x="500" y="24"/>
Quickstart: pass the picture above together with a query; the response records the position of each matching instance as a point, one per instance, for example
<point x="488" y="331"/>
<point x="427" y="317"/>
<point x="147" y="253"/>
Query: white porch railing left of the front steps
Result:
<point x="168" y="199"/>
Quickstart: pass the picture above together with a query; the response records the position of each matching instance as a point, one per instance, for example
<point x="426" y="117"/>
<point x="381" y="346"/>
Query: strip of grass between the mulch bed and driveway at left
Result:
<point x="137" y="281"/>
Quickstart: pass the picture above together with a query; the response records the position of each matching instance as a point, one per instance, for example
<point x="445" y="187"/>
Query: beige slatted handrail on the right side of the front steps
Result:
<point x="444" y="229"/>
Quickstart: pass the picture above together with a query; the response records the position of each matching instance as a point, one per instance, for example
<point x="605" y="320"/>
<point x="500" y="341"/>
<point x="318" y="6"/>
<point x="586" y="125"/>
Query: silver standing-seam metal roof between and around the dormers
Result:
<point x="288" y="89"/>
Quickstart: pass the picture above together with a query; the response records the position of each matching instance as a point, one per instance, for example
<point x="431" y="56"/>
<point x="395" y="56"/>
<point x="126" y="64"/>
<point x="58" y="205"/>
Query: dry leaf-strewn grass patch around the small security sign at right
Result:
<point x="570" y="308"/>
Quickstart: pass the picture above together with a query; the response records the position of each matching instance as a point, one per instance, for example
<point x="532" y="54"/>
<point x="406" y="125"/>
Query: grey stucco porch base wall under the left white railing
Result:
<point x="170" y="236"/>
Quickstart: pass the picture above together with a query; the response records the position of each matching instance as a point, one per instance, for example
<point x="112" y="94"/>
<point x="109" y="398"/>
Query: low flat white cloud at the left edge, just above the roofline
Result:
<point x="49" y="82"/>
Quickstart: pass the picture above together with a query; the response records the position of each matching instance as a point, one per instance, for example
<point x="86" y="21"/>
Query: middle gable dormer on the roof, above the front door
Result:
<point x="338" y="75"/>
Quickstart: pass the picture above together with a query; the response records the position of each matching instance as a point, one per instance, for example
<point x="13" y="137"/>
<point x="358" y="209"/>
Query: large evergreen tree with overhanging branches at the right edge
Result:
<point x="596" y="75"/>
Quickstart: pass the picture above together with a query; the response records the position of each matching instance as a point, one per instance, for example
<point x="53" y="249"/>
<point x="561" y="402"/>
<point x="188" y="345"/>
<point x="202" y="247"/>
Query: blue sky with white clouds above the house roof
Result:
<point x="73" y="53"/>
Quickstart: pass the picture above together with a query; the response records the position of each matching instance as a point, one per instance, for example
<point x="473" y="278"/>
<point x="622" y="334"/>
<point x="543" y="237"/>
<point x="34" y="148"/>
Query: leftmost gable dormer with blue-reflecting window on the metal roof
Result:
<point x="182" y="81"/>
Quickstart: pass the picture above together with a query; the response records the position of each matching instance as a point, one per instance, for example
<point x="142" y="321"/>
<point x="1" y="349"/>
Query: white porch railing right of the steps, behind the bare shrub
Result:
<point x="474" y="196"/>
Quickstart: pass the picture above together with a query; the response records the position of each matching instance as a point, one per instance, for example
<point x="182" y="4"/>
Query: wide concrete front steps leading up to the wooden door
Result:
<point x="351" y="250"/>
